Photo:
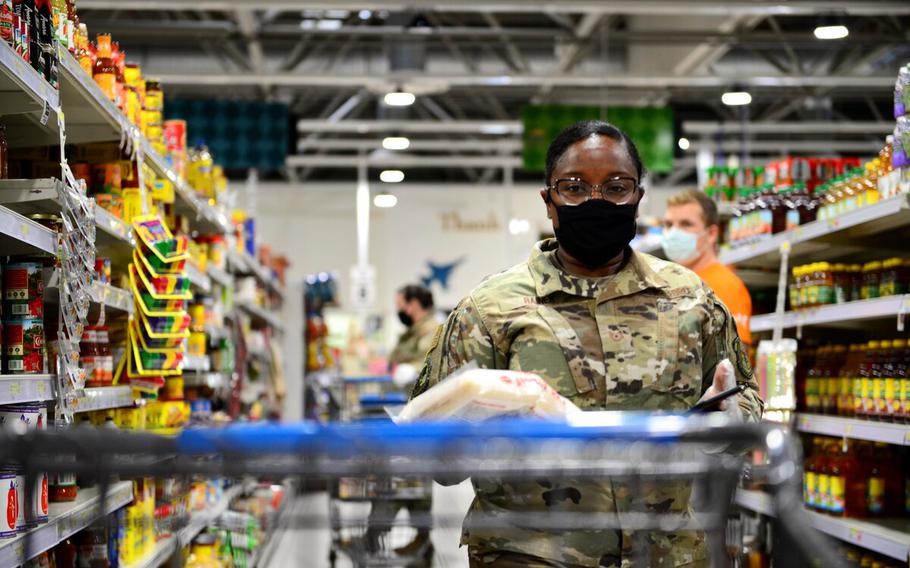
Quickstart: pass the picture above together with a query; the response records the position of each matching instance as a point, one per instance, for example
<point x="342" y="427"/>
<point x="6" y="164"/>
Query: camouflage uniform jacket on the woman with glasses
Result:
<point x="648" y="338"/>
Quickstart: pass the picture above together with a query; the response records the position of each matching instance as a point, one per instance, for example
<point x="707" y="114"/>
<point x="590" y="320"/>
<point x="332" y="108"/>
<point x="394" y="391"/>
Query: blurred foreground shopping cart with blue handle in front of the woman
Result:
<point x="641" y="449"/>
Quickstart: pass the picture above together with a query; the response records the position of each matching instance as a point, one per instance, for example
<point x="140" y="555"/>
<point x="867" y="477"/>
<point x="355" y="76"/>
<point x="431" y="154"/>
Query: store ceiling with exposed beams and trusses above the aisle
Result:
<point x="473" y="65"/>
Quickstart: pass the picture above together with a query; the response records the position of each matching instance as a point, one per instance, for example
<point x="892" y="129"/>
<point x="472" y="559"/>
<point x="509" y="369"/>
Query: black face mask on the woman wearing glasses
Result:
<point x="596" y="231"/>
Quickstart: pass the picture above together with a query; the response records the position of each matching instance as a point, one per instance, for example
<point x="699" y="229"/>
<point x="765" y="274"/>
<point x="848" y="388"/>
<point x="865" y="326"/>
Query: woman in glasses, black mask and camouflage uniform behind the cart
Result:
<point x="608" y="327"/>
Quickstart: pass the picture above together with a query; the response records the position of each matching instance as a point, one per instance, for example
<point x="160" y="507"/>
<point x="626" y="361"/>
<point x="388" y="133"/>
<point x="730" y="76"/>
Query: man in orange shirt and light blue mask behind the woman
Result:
<point x="691" y="229"/>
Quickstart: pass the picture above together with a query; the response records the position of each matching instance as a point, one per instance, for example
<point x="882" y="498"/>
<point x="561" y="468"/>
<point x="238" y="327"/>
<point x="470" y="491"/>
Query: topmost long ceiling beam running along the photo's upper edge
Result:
<point x="640" y="7"/>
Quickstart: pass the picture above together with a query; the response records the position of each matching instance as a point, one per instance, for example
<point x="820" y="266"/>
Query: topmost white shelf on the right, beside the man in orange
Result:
<point x="822" y="235"/>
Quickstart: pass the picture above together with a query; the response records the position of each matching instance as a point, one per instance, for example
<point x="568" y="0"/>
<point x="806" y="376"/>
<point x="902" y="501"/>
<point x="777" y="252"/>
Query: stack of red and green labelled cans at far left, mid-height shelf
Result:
<point x="23" y="324"/>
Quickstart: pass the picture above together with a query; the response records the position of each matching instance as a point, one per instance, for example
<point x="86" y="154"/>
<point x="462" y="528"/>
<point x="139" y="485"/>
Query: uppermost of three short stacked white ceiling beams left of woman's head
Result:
<point x="412" y="126"/>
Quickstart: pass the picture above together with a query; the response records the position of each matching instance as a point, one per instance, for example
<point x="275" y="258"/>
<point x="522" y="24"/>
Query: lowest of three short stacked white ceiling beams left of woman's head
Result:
<point x="404" y="161"/>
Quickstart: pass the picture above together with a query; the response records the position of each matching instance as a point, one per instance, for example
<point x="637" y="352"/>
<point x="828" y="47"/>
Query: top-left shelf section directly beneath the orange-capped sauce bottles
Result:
<point x="90" y="115"/>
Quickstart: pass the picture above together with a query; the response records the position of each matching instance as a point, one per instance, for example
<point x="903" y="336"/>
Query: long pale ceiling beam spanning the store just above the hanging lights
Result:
<point x="381" y="82"/>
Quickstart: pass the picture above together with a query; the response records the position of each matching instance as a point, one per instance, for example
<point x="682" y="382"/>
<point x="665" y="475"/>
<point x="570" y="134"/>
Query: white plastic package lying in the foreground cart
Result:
<point x="478" y="394"/>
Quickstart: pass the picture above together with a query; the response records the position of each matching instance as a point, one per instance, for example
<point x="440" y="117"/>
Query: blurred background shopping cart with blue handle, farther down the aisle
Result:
<point x="364" y="511"/>
